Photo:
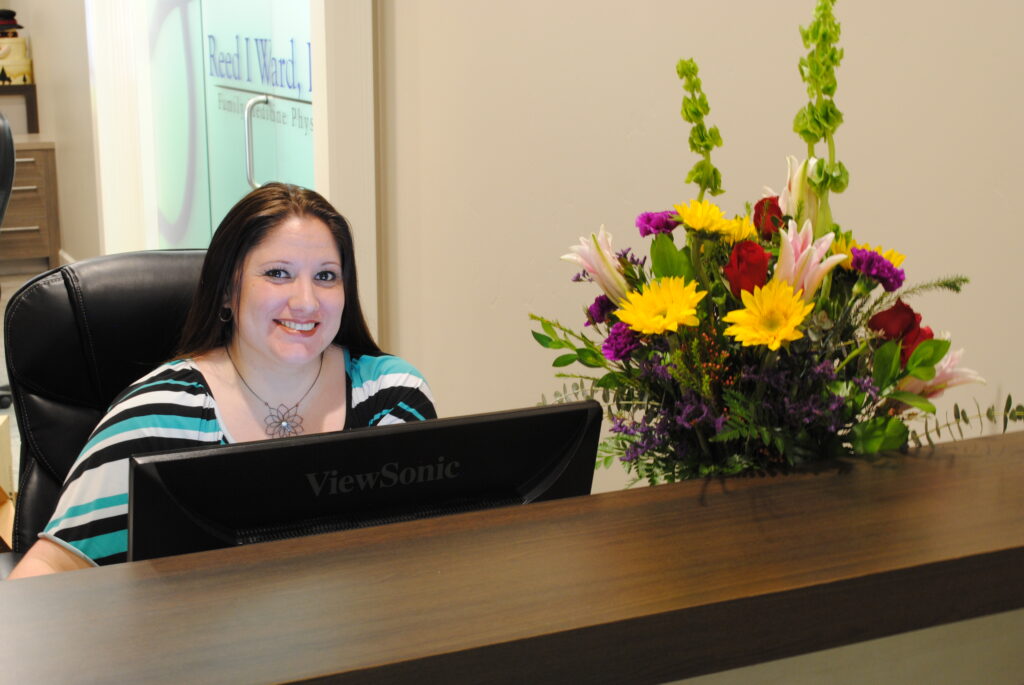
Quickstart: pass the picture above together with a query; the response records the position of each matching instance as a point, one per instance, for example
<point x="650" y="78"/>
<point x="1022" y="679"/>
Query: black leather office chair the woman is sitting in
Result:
<point x="76" y="336"/>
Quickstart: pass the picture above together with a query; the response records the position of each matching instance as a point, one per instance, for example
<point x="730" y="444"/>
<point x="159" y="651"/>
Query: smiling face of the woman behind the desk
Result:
<point x="290" y="294"/>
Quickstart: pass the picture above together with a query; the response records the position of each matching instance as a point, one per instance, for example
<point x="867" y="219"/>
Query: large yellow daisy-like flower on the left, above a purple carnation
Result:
<point x="663" y="306"/>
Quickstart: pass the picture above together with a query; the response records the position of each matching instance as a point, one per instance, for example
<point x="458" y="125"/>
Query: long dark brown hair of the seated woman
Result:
<point x="243" y="229"/>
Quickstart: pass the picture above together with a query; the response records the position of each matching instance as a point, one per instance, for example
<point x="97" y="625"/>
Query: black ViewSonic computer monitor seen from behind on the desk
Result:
<point x="209" y="498"/>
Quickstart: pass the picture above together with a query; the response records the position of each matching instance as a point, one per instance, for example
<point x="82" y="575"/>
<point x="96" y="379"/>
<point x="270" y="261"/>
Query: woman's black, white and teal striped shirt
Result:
<point x="172" y="409"/>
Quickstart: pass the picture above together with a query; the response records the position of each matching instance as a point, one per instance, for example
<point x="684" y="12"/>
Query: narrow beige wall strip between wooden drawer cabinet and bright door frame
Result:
<point x="58" y="33"/>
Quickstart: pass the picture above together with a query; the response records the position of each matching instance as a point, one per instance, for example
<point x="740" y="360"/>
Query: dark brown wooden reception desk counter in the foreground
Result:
<point x="641" y="586"/>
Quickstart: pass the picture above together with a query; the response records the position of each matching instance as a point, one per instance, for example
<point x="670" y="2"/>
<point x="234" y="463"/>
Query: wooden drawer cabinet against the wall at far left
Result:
<point x="31" y="228"/>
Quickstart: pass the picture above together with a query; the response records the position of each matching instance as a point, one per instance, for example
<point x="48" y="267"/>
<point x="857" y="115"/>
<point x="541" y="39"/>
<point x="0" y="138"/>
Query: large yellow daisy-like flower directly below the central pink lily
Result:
<point x="771" y="317"/>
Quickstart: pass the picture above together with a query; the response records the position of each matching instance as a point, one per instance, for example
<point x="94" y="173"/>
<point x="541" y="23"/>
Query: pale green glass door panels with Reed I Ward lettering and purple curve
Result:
<point x="233" y="107"/>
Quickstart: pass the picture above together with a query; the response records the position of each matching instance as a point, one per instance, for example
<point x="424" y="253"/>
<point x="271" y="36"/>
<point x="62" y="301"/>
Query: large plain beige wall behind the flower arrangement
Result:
<point x="510" y="129"/>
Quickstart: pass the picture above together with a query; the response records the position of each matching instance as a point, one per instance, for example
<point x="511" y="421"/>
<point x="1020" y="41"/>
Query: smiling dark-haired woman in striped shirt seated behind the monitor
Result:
<point x="275" y="345"/>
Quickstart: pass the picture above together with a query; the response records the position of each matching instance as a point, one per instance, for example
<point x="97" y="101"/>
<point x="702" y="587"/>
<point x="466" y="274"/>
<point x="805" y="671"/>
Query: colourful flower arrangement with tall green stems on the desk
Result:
<point x="761" y="341"/>
